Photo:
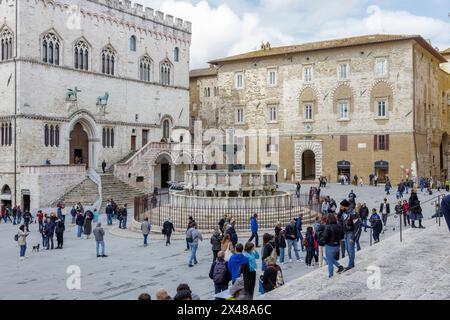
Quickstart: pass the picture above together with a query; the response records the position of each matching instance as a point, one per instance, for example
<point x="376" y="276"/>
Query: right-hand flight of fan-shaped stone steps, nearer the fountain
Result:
<point x="120" y="191"/>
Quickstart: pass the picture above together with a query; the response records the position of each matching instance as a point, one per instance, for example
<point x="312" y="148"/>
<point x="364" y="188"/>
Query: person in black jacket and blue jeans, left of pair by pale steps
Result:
<point x="332" y="236"/>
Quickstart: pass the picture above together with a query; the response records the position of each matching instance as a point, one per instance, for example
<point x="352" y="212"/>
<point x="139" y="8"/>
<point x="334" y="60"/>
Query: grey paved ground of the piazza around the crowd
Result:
<point x="132" y="269"/>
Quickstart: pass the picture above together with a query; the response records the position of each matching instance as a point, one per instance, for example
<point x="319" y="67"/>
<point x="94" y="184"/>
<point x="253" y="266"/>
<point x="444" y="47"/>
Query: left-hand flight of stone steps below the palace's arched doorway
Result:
<point x="86" y="193"/>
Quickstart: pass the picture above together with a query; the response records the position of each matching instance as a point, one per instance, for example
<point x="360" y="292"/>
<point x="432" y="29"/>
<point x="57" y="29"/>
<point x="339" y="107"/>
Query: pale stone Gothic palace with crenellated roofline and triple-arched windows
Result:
<point x="82" y="84"/>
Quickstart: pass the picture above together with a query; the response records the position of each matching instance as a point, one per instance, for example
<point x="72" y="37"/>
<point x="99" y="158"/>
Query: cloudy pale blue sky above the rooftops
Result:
<point x="227" y="27"/>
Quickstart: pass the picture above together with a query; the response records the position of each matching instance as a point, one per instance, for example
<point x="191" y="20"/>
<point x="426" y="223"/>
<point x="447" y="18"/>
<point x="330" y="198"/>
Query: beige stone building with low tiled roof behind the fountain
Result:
<point x="361" y="105"/>
